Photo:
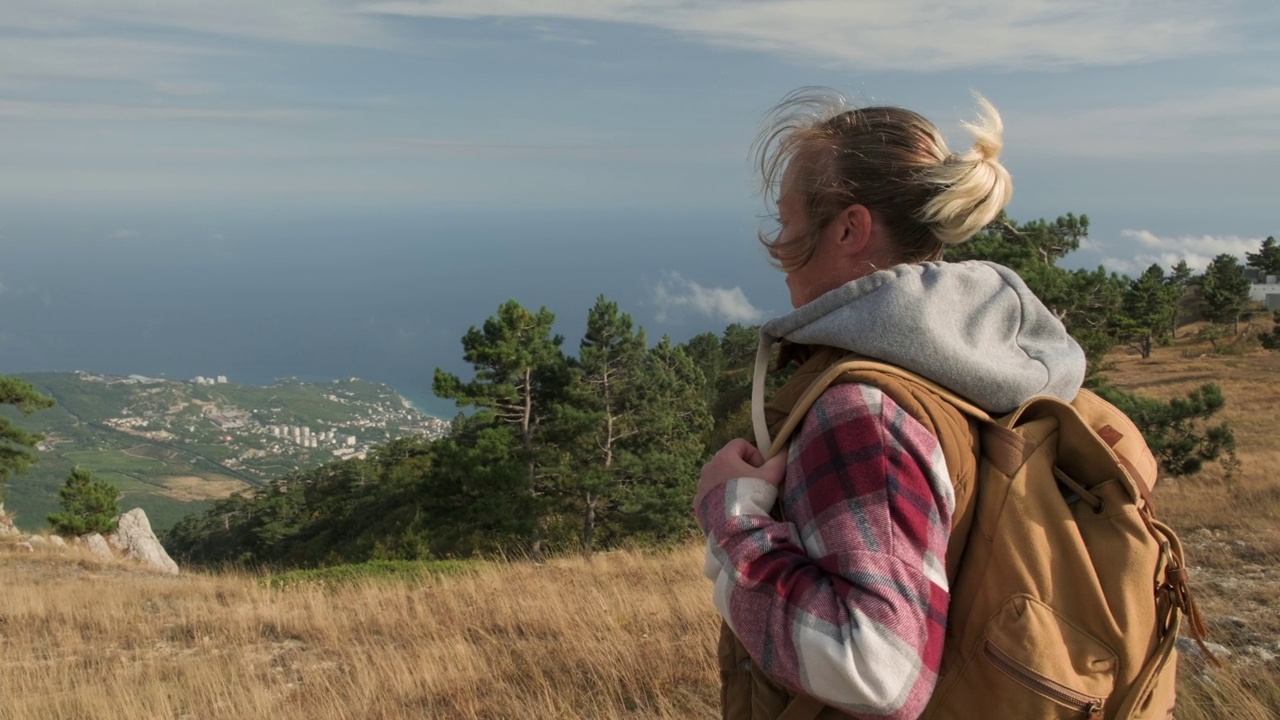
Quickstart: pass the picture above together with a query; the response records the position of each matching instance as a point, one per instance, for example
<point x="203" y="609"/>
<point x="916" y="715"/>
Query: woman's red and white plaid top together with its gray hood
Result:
<point x="847" y="600"/>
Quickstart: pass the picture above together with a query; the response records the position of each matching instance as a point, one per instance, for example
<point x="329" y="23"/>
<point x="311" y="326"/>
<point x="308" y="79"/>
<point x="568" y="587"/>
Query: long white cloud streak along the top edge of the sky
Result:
<point x="894" y="35"/>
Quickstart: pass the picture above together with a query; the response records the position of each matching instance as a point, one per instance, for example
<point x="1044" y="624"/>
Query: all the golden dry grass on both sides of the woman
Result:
<point x="627" y="636"/>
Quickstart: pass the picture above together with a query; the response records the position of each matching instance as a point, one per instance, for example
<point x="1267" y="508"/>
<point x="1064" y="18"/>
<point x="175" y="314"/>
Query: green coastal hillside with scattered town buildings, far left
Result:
<point x="173" y="448"/>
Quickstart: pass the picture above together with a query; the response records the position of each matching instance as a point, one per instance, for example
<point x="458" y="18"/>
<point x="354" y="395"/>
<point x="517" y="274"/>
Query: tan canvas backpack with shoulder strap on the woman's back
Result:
<point x="1067" y="594"/>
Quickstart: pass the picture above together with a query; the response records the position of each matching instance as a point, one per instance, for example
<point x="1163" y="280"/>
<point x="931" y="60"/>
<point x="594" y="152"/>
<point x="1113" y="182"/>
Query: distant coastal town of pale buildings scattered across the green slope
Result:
<point x="253" y="432"/>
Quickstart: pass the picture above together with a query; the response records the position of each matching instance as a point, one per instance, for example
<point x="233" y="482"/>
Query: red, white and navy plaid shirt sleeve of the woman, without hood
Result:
<point x="847" y="600"/>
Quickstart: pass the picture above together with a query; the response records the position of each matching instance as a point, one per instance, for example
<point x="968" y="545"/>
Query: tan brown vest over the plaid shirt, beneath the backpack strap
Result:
<point x="747" y="692"/>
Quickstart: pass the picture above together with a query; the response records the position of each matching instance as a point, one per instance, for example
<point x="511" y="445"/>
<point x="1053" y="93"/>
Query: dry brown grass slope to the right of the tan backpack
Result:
<point x="1231" y="525"/>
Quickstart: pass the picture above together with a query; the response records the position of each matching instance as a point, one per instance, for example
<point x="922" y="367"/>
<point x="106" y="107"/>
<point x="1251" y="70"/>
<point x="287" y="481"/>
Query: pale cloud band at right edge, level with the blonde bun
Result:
<point x="1227" y="121"/>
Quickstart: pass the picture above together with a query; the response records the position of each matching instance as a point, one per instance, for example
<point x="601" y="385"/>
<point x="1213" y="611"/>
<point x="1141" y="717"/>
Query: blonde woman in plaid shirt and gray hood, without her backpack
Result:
<point x="845" y="598"/>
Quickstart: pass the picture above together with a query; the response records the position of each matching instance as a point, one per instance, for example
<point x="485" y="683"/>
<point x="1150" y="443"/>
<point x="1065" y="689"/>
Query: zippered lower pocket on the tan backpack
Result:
<point x="1034" y="663"/>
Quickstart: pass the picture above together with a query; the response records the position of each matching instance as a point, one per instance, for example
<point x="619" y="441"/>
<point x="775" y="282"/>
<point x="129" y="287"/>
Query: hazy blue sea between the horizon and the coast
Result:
<point x="382" y="298"/>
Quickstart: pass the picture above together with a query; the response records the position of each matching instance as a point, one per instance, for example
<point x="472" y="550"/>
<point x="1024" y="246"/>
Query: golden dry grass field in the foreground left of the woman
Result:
<point x="625" y="636"/>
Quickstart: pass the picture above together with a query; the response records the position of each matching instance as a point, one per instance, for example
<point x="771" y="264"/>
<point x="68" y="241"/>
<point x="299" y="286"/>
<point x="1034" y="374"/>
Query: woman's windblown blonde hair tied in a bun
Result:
<point x="892" y="161"/>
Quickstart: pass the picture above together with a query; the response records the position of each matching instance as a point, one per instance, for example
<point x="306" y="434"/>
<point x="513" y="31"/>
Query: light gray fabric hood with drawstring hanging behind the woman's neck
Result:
<point x="975" y="329"/>
